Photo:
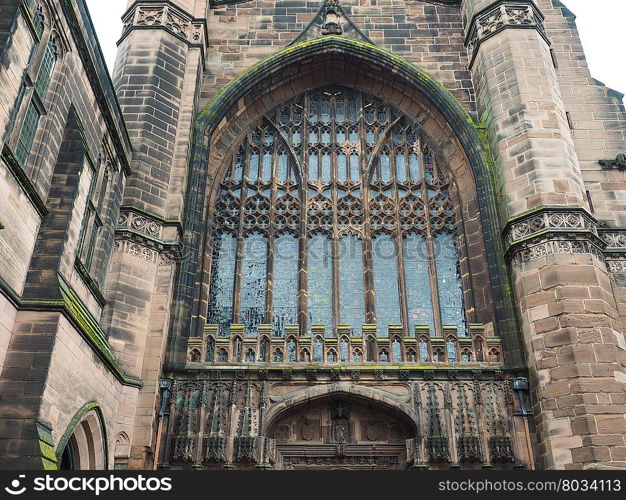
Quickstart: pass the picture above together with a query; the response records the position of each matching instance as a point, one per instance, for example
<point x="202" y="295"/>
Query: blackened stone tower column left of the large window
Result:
<point x="159" y="63"/>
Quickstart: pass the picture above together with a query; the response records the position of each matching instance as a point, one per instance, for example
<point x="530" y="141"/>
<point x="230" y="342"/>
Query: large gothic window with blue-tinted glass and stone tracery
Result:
<point x="333" y="211"/>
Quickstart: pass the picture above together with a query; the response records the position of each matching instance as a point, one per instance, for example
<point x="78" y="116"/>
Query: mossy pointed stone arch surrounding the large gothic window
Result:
<point x="279" y="72"/>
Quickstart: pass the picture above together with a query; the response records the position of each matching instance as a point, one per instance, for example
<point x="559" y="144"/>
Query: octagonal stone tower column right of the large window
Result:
<point x="572" y="333"/>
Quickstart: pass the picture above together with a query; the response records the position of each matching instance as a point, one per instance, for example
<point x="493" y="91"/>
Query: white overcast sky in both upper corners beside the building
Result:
<point x="601" y="25"/>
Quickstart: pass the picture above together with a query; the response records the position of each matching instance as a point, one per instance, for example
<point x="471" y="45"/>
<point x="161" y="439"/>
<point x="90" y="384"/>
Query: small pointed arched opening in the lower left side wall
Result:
<point x="84" y="446"/>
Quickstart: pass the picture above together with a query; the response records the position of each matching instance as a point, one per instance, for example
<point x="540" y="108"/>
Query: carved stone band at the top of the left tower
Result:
<point x="168" y="17"/>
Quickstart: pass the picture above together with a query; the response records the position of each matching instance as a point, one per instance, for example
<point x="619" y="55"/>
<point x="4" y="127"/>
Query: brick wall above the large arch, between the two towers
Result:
<point x="428" y="35"/>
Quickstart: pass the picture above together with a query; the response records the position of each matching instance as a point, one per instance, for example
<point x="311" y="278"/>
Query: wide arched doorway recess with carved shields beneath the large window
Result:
<point x="341" y="433"/>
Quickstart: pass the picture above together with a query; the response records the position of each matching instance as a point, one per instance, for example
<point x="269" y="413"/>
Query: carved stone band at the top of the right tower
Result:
<point x="502" y="15"/>
